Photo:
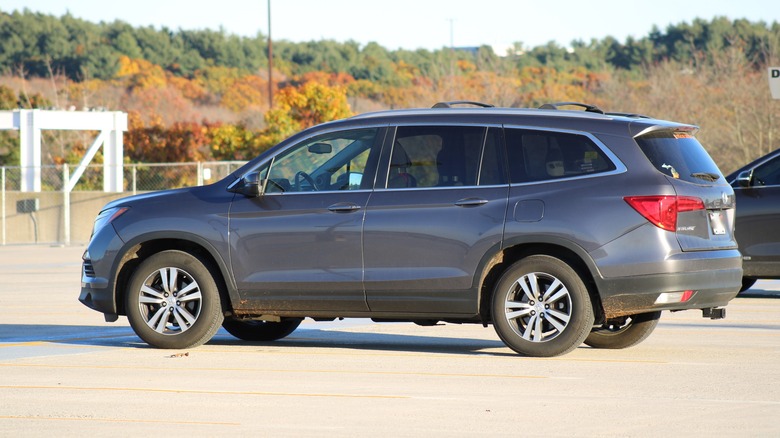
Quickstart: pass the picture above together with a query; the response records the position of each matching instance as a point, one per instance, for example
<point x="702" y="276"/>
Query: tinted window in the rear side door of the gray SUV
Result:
<point x="437" y="156"/>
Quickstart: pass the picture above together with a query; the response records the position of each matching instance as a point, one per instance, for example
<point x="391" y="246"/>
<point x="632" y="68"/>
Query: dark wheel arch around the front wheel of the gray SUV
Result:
<point x="137" y="250"/>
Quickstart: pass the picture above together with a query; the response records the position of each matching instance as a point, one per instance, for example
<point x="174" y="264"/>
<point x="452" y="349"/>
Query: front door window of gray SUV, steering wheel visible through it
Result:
<point x="335" y="161"/>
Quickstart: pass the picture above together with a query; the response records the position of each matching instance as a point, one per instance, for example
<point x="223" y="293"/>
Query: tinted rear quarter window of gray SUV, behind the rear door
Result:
<point x="544" y="155"/>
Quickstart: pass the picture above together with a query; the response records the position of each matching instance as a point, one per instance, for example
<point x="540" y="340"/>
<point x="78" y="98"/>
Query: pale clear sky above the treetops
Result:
<point x="413" y="24"/>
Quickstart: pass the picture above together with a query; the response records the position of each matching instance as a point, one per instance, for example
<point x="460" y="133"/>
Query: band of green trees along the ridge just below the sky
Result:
<point x="39" y="44"/>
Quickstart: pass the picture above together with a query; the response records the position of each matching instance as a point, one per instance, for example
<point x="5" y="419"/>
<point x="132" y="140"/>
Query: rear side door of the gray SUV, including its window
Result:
<point x="438" y="208"/>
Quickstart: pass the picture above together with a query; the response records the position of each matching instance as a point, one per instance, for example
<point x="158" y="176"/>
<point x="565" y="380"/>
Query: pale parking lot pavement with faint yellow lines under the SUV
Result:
<point x="65" y="372"/>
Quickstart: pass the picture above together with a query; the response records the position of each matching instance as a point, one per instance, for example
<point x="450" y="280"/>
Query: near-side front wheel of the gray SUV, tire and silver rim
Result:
<point x="173" y="302"/>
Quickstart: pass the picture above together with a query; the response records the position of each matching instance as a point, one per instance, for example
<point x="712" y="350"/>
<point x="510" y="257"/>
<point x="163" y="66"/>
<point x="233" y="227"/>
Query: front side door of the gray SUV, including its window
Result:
<point x="298" y="246"/>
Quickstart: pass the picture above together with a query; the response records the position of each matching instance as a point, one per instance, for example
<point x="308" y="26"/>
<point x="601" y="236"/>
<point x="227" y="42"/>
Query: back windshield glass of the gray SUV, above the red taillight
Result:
<point x="679" y="155"/>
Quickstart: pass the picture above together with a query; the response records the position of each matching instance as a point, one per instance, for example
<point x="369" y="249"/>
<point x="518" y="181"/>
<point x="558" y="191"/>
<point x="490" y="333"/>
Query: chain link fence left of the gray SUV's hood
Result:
<point x="55" y="216"/>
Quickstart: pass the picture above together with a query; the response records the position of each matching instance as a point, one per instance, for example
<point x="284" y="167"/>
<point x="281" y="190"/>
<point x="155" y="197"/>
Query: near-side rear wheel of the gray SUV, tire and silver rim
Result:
<point x="541" y="307"/>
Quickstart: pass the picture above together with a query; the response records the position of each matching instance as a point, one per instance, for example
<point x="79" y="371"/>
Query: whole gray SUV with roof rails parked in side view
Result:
<point x="556" y="226"/>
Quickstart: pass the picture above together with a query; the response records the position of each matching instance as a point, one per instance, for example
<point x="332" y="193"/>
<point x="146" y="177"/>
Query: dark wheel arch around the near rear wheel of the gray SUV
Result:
<point x="573" y="255"/>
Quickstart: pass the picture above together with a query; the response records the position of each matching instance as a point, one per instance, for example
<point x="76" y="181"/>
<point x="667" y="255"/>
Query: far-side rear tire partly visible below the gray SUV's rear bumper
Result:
<point x="624" y="332"/>
